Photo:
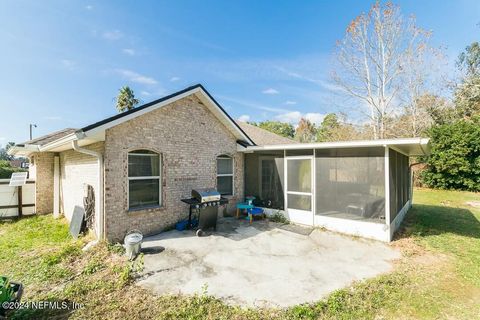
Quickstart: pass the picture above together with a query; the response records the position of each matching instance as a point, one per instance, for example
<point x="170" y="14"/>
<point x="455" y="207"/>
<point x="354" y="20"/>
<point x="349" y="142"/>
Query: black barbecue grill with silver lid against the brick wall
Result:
<point x="205" y="203"/>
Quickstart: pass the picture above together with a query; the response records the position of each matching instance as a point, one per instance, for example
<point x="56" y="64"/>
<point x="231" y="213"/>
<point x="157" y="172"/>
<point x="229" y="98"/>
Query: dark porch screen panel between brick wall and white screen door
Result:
<point x="264" y="178"/>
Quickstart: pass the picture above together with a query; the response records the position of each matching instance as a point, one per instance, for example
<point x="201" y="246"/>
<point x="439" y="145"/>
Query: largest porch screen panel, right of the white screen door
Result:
<point x="350" y="183"/>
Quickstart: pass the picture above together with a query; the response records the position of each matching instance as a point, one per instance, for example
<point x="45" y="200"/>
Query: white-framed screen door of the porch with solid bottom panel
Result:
<point x="299" y="194"/>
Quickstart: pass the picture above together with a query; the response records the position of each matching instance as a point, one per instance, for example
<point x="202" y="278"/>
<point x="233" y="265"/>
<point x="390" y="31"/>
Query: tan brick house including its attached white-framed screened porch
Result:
<point x="140" y="163"/>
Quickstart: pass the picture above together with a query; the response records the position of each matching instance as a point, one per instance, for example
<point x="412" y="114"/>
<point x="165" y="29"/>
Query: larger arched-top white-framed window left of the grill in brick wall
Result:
<point x="144" y="179"/>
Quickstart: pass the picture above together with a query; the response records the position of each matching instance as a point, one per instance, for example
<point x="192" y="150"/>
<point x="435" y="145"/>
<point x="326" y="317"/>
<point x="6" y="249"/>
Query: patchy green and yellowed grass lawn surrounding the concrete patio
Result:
<point x="438" y="276"/>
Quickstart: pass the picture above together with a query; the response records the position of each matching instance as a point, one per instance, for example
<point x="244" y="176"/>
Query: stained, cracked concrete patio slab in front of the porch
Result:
<point x="263" y="264"/>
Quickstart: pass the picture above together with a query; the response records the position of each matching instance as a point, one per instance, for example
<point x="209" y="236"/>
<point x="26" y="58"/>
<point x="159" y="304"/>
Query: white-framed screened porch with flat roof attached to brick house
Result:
<point x="356" y="189"/>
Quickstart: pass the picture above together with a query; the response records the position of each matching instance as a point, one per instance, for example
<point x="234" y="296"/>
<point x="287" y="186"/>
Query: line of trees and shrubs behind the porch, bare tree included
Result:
<point x="386" y="67"/>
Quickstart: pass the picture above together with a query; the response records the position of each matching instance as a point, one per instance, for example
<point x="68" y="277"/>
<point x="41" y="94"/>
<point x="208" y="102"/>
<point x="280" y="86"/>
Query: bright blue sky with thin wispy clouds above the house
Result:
<point x="62" y="63"/>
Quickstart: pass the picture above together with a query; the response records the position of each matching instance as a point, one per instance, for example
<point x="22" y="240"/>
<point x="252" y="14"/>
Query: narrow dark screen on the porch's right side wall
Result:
<point x="399" y="182"/>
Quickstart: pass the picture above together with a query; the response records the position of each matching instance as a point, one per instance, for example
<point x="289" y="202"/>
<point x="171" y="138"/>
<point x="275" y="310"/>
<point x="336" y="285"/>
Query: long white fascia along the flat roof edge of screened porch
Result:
<point x="342" y="144"/>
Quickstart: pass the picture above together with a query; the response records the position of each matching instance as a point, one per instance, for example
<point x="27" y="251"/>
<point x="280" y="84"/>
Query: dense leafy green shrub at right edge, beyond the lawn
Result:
<point x="454" y="162"/>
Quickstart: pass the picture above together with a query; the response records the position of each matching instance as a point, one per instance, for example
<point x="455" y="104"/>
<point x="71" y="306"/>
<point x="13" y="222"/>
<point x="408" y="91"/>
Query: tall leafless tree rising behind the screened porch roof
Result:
<point x="378" y="49"/>
